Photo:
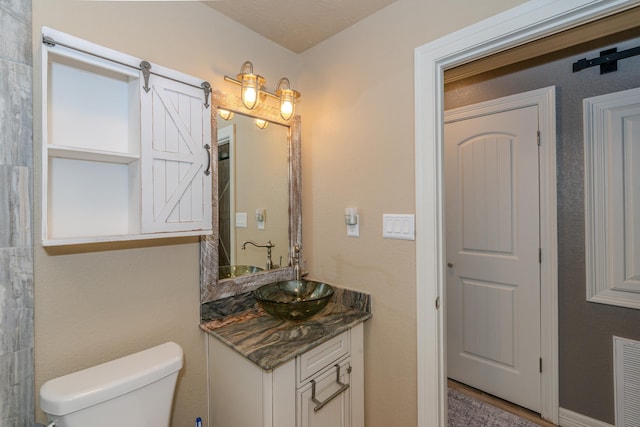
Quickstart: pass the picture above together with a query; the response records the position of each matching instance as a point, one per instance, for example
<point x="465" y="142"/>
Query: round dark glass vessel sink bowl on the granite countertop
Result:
<point x="293" y="299"/>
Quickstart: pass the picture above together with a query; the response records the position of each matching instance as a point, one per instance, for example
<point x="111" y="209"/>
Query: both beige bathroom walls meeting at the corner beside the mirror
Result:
<point x="358" y="151"/>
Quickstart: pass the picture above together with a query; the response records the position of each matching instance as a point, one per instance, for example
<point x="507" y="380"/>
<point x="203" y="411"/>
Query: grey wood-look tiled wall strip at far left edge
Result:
<point x="16" y="248"/>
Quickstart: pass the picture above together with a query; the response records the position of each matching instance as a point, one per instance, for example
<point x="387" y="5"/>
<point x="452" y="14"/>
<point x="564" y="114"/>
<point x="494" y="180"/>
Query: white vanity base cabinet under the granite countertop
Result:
<point x="322" y="387"/>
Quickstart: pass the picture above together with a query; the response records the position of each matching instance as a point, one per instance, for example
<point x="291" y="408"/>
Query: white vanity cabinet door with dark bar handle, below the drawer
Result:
<point x="325" y="401"/>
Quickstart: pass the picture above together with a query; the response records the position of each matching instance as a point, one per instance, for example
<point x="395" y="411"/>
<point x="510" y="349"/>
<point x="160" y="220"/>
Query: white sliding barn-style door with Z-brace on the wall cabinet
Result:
<point x="176" y="157"/>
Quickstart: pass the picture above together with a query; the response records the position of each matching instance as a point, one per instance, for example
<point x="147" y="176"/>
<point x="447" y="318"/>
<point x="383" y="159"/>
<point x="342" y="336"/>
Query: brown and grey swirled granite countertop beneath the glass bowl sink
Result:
<point x="268" y="342"/>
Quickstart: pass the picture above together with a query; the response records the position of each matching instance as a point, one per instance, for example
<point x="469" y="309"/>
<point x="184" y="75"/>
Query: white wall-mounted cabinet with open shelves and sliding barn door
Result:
<point x="126" y="146"/>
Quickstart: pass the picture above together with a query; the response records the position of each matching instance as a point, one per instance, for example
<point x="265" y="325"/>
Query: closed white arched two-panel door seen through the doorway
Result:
<point x="492" y="238"/>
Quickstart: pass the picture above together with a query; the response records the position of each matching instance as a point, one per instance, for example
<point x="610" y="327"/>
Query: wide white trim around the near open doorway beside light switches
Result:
<point x="530" y="21"/>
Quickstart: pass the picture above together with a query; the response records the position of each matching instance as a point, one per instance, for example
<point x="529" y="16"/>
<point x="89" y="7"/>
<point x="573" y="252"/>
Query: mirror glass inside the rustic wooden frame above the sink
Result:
<point x="253" y="194"/>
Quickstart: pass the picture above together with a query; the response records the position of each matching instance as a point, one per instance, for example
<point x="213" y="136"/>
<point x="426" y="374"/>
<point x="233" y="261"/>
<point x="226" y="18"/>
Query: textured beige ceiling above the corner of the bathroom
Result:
<point x="297" y="24"/>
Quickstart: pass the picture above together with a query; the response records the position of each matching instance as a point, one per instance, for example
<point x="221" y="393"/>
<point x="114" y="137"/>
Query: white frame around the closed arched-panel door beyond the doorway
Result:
<point x="545" y="100"/>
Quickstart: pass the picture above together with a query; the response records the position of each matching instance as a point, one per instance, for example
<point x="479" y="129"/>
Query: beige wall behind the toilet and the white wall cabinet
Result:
<point x="98" y="303"/>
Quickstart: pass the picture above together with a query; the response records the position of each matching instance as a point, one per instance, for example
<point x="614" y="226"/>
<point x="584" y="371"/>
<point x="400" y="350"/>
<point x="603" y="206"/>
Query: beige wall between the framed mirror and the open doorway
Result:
<point x="358" y="150"/>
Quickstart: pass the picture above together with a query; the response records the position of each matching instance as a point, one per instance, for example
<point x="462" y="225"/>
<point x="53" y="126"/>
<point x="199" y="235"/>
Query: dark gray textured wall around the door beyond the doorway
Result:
<point x="586" y="329"/>
